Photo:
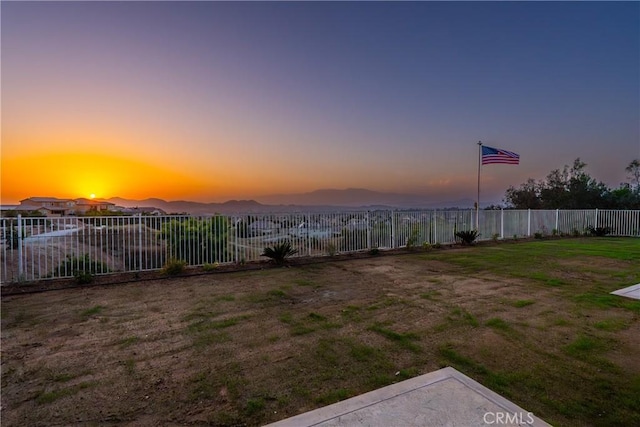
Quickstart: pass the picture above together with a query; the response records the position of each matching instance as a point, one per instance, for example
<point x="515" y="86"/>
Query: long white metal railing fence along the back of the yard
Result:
<point x="46" y="247"/>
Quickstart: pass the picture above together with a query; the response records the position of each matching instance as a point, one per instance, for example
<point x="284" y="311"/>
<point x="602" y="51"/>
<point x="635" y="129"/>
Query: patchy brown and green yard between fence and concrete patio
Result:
<point x="533" y="321"/>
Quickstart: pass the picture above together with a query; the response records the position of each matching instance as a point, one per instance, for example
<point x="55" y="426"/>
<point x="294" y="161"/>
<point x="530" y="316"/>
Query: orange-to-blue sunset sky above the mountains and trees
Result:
<point x="211" y="101"/>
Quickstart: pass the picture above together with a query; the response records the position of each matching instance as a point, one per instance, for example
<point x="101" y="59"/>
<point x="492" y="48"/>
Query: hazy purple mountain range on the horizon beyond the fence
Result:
<point x="319" y="200"/>
